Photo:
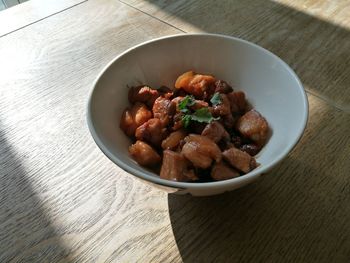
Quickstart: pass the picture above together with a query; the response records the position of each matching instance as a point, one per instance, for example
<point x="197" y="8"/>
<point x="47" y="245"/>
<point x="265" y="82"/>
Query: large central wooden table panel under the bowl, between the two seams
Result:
<point x="62" y="200"/>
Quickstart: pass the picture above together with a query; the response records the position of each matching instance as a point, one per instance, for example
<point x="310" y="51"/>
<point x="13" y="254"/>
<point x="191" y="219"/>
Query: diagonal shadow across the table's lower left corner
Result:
<point x="26" y="234"/>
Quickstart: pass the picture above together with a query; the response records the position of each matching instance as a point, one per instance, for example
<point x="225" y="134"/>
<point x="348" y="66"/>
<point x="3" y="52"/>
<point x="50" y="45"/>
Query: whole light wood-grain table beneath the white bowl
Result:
<point x="62" y="200"/>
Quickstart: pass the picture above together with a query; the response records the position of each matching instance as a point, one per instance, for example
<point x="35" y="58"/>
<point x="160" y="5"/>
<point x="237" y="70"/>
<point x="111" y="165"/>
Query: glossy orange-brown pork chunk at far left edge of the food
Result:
<point x="134" y="117"/>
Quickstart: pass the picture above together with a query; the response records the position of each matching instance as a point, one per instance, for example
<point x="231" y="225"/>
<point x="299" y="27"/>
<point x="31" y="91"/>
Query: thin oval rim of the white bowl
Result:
<point x="200" y="185"/>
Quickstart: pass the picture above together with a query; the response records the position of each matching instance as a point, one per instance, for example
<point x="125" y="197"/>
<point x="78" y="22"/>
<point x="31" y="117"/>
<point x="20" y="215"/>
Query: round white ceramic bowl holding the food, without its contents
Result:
<point x="270" y="84"/>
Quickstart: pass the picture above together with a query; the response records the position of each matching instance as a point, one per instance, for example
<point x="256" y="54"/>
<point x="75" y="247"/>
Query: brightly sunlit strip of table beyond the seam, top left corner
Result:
<point x="30" y="12"/>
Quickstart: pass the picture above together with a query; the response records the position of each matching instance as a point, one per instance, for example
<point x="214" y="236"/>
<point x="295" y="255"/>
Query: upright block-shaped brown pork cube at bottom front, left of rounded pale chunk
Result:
<point x="175" y="167"/>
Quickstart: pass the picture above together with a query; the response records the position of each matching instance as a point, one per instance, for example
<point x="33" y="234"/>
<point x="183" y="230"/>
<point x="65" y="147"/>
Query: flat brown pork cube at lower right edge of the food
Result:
<point x="240" y="160"/>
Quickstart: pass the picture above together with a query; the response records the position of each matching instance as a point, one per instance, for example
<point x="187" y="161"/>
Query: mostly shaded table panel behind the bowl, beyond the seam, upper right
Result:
<point x="312" y="36"/>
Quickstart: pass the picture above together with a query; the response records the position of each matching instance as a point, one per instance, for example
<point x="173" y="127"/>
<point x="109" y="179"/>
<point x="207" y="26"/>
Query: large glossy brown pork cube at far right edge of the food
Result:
<point x="253" y="126"/>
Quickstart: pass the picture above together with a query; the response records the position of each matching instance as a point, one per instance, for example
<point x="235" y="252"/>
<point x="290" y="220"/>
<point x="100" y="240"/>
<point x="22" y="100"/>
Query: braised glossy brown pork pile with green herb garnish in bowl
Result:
<point x="201" y="130"/>
